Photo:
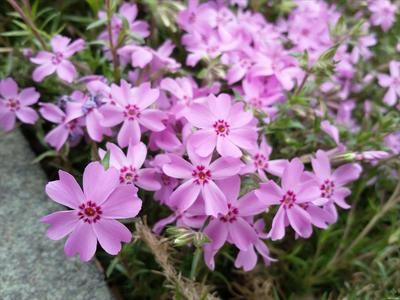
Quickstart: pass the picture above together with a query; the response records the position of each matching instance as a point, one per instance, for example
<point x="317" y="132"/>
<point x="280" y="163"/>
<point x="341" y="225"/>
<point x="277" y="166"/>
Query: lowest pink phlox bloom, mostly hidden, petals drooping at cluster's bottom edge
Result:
<point x="247" y="259"/>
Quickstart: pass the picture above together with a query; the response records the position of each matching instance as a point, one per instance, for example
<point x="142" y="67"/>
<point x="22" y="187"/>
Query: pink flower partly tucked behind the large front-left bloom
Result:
<point x="130" y="166"/>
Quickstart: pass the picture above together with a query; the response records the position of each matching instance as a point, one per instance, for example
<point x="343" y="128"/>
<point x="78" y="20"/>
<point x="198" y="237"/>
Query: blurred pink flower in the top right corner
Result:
<point x="383" y="13"/>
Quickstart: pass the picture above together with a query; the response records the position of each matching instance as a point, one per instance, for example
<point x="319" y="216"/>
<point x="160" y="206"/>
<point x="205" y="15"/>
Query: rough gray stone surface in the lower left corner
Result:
<point x="31" y="265"/>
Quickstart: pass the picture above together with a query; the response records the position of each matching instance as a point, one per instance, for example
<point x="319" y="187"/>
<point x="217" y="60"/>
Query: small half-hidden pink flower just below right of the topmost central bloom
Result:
<point x="259" y="161"/>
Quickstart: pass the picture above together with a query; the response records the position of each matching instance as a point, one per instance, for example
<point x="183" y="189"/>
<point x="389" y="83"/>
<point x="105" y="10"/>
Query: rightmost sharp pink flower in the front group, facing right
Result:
<point x="331" y="184"/>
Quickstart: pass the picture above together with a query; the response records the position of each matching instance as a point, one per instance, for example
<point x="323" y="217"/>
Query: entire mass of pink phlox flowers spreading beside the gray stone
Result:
<point x="196" y="146"/>
